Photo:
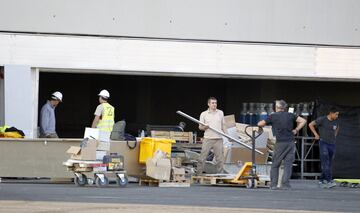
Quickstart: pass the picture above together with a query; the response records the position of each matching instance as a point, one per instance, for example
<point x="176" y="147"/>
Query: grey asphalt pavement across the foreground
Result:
<point x="305" y="195"/>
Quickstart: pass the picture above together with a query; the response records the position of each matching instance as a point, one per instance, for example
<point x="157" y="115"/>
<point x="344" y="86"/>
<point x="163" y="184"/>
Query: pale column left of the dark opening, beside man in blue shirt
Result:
<point x="21" y="98"/>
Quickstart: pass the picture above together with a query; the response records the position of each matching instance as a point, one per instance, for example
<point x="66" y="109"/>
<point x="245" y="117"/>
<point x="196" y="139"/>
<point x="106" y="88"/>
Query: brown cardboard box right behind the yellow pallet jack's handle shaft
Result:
<point x="244" y="155"/>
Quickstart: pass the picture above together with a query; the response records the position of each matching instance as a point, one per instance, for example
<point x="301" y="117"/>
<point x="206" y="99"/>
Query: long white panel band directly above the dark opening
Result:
<point x="94" y="54"/>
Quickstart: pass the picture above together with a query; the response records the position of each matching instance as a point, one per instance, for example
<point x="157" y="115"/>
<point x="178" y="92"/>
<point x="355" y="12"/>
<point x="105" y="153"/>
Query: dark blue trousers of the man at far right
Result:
<point x="327" y="154"/>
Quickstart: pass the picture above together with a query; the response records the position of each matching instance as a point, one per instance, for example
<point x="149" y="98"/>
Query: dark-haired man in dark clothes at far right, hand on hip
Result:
<point x="328" y="128"/>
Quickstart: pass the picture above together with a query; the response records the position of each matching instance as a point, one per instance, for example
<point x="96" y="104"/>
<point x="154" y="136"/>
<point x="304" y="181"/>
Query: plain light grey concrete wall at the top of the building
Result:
<point x="333" y="22"/>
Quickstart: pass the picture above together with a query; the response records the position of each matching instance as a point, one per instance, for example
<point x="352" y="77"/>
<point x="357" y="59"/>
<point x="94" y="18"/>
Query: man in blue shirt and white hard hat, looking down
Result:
<point x="47" y="116"/>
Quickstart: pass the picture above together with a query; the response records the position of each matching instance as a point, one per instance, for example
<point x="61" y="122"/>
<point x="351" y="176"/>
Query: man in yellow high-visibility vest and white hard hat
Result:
<point x="104" y="113"/>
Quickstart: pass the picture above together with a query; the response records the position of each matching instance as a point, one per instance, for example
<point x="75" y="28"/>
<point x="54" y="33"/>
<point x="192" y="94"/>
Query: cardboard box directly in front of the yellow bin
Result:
<point x="160" y="170"/>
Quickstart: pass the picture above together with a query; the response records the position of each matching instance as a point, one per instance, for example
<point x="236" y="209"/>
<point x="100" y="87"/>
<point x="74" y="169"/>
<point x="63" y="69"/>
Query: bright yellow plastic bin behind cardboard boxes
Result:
<point x="149" y="145"/>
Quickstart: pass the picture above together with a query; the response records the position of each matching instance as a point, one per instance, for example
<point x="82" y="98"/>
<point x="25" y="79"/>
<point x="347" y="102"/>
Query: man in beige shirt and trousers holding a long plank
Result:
<point x="215" y="118"/>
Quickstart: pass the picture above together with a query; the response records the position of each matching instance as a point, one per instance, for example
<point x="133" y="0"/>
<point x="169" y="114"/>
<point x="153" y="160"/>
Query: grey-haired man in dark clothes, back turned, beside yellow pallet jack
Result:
<point x="284" y="149"/>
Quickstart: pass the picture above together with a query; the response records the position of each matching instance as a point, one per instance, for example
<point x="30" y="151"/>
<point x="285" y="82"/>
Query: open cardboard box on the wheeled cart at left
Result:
<point x="88" y="152"/>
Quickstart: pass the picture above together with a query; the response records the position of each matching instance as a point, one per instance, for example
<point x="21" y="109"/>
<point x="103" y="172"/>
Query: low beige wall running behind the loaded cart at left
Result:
<point x="44" y="158"/>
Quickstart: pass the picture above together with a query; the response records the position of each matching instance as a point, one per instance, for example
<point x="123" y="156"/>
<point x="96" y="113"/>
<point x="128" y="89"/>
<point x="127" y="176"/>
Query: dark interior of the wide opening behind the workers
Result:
<point x="142" y="100"/>
